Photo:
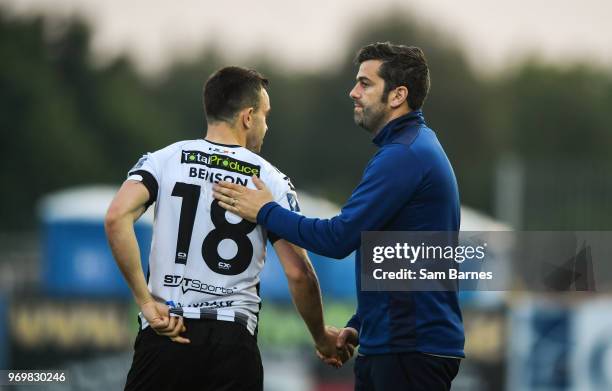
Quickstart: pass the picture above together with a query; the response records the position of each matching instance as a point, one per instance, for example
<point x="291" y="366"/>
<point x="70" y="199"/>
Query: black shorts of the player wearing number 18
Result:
<point x="222" y="356"/>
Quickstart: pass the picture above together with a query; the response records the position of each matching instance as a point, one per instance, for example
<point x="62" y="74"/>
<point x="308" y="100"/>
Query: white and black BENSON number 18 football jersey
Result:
<point x="205" y="261"/>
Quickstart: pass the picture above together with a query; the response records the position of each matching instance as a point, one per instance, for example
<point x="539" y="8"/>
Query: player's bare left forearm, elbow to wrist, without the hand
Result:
<point x="123" y="243"/>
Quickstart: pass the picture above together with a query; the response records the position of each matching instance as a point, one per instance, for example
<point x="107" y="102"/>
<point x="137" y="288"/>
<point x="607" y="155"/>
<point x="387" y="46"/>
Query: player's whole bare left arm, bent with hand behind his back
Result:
<point x="127" y="206"/>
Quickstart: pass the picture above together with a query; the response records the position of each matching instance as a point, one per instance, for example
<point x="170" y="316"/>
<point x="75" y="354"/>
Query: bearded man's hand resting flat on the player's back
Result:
<point x="243" y="201"/>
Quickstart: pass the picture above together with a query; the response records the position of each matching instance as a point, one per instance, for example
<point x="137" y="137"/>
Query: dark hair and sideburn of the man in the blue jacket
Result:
<point x="401" y="66"/>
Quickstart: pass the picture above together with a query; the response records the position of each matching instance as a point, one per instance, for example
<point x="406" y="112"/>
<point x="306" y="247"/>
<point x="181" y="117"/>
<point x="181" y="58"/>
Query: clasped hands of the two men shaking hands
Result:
<point x="335" y="347"/>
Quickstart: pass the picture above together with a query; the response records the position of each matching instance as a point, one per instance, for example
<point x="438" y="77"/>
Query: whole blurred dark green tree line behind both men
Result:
<point x="66" y="121"/>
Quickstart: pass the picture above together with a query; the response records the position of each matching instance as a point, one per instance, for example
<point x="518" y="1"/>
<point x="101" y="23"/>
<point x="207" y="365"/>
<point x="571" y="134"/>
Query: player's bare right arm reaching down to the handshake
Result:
<point x="304" y="288"/>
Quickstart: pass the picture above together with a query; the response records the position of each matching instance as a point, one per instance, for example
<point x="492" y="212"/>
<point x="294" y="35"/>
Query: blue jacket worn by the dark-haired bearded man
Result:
<point x="408" y="185"/>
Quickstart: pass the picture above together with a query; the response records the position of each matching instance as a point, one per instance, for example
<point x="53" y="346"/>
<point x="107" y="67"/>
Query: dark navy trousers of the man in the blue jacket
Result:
<point x="405" y="372"/>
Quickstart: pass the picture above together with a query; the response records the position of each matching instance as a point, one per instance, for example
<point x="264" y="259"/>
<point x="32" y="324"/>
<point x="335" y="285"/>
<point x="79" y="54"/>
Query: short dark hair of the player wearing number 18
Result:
<point x="230" y="90"/>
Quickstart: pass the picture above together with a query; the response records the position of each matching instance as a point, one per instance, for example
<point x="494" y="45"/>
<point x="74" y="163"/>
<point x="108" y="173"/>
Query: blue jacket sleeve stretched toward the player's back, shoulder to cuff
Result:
<point x="389" y="181"/>
